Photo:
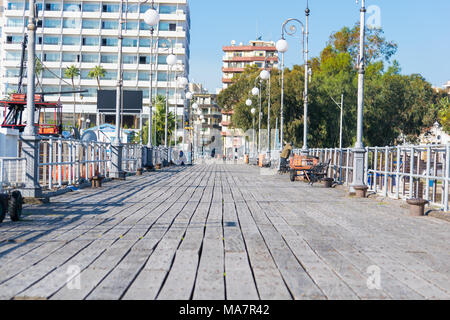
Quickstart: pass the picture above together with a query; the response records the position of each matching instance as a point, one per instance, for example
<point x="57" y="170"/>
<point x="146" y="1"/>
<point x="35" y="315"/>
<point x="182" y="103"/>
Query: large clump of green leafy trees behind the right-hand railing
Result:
<point x="395" y="105"/>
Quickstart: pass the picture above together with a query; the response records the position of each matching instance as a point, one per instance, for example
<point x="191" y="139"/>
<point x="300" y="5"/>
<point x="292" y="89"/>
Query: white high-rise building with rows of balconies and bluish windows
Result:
<point x="85" y="34"/>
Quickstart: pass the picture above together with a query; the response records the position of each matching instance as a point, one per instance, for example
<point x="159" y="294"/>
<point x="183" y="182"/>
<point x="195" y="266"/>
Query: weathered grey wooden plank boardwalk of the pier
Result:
<point x="222" y="232"/>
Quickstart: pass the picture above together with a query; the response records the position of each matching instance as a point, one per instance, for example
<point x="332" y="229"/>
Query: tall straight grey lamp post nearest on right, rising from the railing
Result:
<point x="359" y="150"/>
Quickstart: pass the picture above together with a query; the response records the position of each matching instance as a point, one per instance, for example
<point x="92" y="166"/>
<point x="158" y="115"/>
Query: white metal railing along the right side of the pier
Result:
<point x="401" y="172"/>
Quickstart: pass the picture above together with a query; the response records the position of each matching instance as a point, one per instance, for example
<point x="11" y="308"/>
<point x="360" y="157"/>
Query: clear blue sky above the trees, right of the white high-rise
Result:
<point x="420" y="28"/>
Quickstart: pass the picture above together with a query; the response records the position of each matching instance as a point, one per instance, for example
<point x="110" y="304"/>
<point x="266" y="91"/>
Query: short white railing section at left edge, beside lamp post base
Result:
<point x="12" y="172"/>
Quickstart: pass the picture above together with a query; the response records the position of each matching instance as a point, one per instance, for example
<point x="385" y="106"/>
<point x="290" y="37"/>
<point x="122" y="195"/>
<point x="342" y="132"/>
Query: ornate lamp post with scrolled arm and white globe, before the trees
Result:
<point x="282" y="46"/>
